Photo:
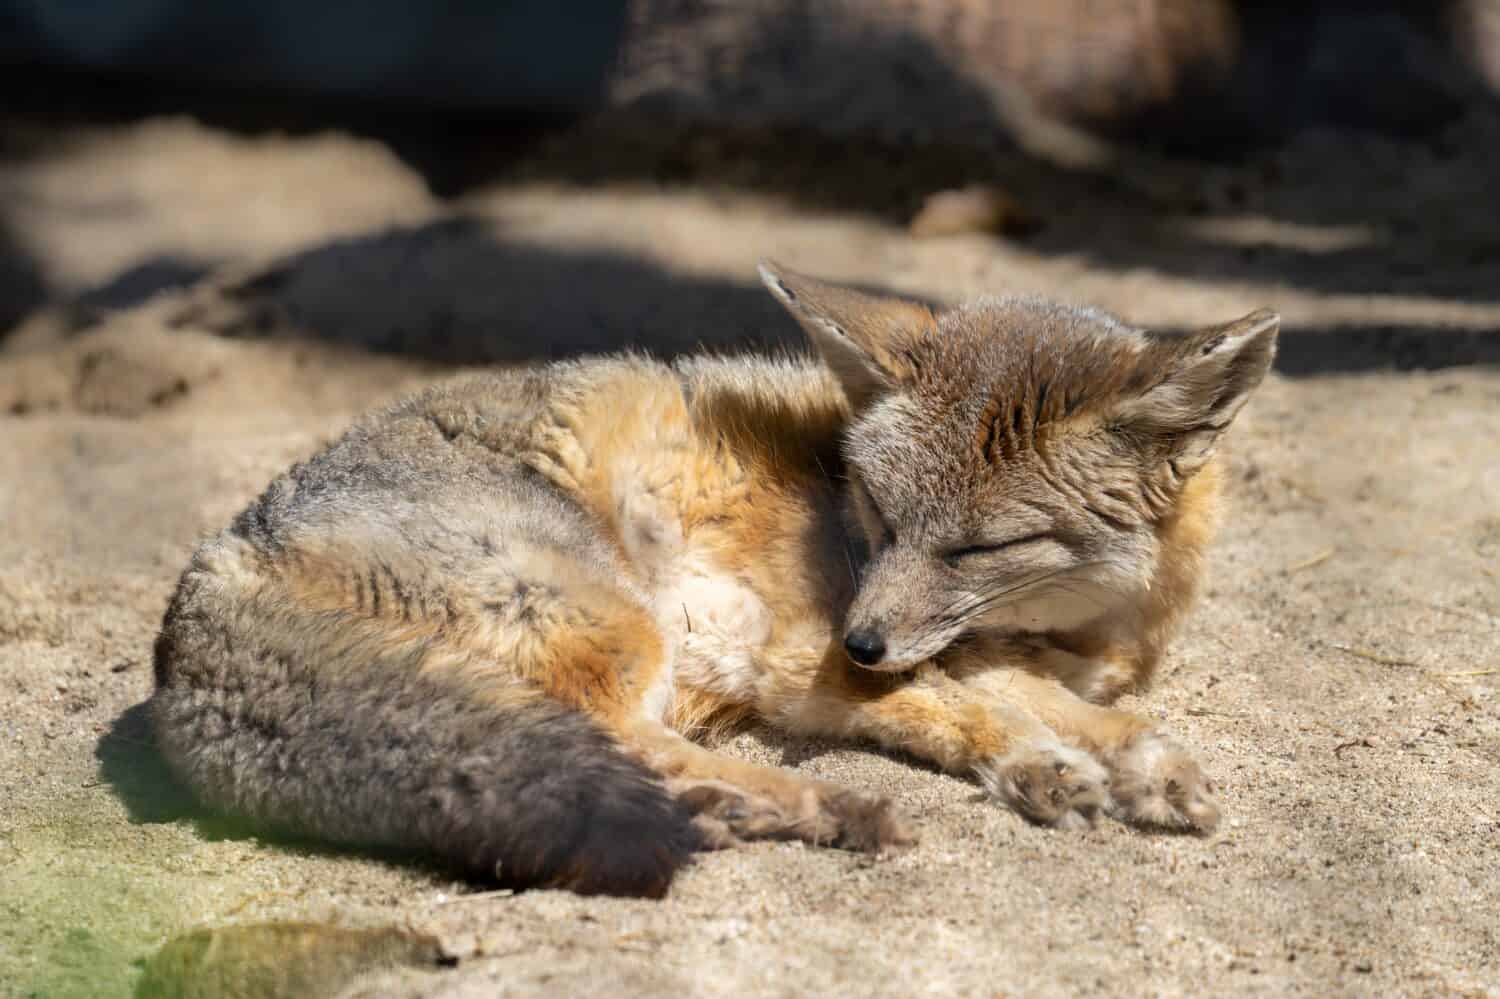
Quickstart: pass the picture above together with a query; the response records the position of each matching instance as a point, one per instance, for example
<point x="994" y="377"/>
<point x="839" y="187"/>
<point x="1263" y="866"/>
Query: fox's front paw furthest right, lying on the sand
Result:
<point x="1159" y="784"/>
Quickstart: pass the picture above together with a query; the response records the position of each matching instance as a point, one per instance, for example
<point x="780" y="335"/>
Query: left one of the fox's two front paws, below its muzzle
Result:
<point x="1049" y="784"/>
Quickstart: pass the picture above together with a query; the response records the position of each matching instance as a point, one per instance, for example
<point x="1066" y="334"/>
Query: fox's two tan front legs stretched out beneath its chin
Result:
<point x="1034" y="745"/>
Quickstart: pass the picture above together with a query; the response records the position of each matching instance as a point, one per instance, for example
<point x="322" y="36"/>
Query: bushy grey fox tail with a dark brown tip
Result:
<point x="505" y="785"/>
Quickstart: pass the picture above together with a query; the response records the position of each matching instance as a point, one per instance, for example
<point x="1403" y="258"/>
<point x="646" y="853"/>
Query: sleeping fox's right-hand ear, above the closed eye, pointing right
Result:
<point x="1201" y="383"/>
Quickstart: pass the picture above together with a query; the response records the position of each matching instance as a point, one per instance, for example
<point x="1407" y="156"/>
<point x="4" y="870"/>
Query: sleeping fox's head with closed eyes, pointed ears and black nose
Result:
<point x="1012" y="461"/>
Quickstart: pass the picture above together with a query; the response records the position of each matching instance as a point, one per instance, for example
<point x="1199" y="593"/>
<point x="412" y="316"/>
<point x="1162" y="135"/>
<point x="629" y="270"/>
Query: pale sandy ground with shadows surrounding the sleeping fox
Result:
<point x="1339" y="679"/>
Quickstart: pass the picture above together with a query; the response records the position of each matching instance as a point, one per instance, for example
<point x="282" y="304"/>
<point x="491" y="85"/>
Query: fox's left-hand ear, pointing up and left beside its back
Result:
<point x="865" y="340"/>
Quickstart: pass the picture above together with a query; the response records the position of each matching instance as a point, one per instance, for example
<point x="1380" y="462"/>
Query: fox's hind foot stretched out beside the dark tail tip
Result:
<point x="746" y="802"/>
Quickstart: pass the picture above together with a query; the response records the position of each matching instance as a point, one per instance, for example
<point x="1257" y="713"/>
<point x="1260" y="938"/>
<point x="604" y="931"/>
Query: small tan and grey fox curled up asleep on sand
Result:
<point x="490" y="622"/>
